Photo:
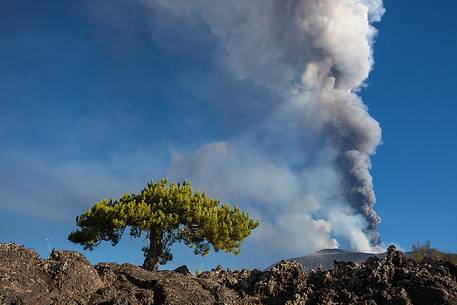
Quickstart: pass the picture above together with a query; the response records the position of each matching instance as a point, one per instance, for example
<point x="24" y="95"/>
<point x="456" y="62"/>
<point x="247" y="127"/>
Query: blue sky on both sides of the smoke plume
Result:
<point x="96" y="97"/>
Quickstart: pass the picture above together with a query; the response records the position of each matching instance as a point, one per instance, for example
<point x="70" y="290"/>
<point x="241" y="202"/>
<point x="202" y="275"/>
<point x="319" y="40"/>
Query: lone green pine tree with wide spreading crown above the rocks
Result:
<point x="165" y="213"/>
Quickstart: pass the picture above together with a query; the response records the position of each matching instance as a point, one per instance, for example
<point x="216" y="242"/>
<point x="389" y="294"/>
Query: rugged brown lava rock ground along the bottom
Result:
<point x="68" y="278"/>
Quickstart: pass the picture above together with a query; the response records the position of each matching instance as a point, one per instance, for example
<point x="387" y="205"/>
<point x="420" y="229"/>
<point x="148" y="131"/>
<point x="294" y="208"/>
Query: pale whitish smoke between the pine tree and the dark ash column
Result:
<point x="269" y="191"/>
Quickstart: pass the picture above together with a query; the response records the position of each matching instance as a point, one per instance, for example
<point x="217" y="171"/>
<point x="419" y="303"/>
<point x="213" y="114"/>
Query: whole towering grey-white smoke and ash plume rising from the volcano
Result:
<point x="304" y="169"/>
